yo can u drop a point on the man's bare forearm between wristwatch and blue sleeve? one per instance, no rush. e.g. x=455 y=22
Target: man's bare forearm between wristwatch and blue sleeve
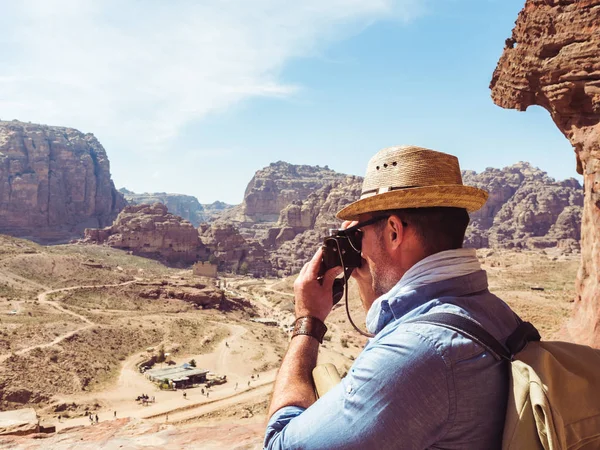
x=294 y=384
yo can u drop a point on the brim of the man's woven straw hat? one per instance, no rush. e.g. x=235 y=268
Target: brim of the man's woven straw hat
x=456 y=196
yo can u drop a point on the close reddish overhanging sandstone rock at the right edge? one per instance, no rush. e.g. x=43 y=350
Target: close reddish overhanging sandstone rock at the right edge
x=552 y=60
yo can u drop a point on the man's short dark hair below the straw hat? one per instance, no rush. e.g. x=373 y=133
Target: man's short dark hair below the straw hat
x=437 y=228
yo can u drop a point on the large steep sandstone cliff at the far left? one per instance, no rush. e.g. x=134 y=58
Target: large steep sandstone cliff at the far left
x=54 y=182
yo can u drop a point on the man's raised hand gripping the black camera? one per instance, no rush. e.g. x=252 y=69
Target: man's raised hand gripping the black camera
x=311 y=297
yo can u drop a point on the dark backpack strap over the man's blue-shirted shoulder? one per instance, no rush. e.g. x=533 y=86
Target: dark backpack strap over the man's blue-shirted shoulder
x=525 y=332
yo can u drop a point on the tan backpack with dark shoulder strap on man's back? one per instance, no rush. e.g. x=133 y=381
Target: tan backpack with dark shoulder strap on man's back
x=554 y=391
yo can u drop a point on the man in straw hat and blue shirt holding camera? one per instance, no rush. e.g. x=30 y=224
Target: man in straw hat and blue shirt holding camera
x=415 y=385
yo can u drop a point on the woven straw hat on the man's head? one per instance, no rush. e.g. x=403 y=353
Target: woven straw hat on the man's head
x=413 y=177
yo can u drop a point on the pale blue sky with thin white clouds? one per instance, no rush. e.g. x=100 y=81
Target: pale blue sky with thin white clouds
x=193 y=97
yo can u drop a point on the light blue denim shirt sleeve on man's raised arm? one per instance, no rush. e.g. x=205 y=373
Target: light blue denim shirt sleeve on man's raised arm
x=398 y=394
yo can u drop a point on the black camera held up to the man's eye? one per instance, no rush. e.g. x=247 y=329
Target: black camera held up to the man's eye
x=341 y=248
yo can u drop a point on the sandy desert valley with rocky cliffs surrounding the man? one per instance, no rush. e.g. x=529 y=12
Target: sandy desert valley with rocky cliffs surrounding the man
x=150 y=320
